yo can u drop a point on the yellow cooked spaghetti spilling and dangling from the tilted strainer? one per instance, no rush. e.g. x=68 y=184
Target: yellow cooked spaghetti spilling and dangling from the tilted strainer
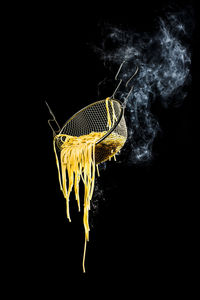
x=77 y=157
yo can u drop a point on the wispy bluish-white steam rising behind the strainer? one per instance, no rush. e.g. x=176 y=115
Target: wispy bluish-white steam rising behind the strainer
x=164 y=60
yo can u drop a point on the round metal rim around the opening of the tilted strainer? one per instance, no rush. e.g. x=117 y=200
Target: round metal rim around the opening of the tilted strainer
x=109 y=131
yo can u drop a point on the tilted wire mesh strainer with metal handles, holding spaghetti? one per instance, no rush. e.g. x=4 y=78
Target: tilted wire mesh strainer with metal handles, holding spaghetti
x=94 y=118
